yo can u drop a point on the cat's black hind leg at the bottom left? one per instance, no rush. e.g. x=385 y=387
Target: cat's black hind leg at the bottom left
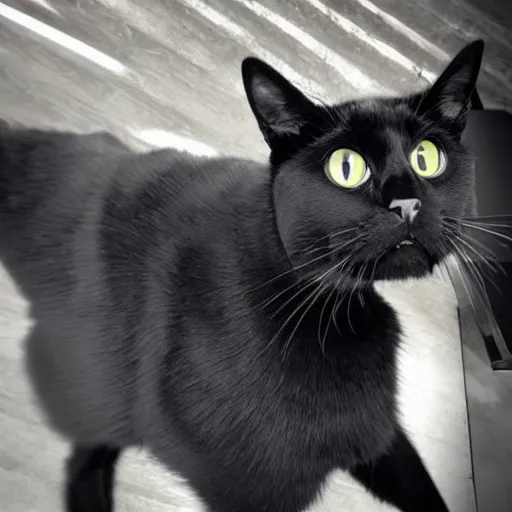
x=90 y=479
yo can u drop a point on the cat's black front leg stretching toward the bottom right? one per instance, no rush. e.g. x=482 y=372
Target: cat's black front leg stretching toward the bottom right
x=400 y=478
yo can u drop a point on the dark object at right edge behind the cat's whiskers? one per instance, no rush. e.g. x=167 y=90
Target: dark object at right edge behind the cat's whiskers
x=488 y=133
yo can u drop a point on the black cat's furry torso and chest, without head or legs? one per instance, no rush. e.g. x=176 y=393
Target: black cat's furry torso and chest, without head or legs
x=149 y=339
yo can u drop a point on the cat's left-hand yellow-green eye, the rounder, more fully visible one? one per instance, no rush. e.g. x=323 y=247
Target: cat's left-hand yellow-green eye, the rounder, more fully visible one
x=347 y=169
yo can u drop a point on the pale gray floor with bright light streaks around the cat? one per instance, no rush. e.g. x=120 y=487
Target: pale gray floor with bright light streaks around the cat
x=167 y=73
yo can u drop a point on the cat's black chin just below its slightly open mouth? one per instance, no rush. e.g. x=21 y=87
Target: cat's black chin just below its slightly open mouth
x=404 y=263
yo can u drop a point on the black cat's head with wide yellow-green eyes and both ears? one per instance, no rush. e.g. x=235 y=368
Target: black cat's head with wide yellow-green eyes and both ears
x=365 y=190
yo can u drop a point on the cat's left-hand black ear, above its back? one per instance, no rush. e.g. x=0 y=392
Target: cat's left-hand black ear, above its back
x=279 y=107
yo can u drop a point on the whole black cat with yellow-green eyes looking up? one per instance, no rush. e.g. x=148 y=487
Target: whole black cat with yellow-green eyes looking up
x=222 y=313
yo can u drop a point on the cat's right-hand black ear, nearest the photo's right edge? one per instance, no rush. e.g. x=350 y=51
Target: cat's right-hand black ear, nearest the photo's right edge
x=450 y=96
